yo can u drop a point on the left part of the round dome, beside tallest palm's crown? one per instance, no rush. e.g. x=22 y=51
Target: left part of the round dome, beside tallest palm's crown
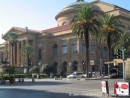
x=66 y=14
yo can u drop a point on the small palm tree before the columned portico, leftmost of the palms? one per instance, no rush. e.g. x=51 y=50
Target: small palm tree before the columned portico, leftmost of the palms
x=12 y=38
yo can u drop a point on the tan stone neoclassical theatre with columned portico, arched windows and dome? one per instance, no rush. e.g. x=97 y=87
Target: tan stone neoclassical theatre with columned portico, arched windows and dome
x=58 y=45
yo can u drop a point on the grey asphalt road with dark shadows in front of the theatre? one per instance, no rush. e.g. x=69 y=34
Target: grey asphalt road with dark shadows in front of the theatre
x=50 y=88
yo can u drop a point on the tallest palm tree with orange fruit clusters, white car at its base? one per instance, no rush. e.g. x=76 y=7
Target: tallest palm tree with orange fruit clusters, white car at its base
x=83 y=24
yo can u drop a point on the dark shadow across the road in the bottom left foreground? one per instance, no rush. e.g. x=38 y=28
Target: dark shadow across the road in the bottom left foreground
x=28 y=93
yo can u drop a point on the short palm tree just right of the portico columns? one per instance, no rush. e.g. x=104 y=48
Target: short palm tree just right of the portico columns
x=27 y=51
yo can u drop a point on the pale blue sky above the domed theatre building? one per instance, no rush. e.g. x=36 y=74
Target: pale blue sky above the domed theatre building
x=37 y=14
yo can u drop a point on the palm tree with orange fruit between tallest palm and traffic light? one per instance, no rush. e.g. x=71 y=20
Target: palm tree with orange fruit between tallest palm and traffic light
x=110 y=31
